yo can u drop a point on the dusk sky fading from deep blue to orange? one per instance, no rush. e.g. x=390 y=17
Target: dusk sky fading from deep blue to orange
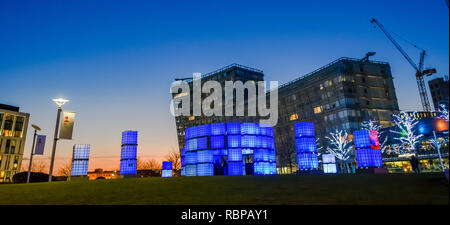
x=115 y=60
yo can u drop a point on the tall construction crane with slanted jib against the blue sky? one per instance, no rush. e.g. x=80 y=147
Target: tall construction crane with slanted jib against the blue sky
x=420 y=73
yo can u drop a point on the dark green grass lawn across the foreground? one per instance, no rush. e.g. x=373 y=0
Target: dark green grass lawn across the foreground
x=319 y=189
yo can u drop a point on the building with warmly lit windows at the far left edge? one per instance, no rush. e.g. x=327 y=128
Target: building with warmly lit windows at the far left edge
x=13 y=132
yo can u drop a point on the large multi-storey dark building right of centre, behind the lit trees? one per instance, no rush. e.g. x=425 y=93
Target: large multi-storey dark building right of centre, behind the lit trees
x=339 y=95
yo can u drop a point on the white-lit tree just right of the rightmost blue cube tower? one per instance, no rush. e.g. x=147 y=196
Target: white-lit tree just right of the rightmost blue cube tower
x=406 y=125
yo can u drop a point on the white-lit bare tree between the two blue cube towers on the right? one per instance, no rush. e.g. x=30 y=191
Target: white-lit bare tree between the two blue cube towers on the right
x=340 y=146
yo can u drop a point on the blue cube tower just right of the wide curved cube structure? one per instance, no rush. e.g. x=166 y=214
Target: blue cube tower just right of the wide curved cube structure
x=306 y=146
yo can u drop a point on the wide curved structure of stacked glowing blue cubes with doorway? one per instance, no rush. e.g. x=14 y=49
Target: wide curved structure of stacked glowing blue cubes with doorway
x=206 y=145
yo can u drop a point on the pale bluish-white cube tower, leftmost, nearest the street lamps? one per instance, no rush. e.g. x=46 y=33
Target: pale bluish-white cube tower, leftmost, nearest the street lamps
x=80 y=160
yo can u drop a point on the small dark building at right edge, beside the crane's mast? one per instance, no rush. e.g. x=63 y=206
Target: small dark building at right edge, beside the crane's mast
x=439 y=89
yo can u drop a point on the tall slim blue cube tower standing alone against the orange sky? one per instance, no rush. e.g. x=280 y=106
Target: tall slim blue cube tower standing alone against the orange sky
x=128 y=152
